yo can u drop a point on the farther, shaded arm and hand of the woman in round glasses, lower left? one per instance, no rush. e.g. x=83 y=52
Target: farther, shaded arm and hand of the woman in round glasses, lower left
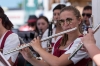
x=26 y=53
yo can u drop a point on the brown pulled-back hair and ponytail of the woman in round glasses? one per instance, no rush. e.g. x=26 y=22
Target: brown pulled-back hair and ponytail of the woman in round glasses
x=77 y=14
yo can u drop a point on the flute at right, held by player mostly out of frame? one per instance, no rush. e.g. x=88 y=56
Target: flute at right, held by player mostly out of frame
x=81 y=44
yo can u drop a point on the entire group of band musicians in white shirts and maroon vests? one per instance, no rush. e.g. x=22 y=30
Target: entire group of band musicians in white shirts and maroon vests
x=64 y=18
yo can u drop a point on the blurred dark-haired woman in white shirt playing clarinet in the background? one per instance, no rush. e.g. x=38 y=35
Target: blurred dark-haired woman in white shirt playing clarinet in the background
x=42 y=25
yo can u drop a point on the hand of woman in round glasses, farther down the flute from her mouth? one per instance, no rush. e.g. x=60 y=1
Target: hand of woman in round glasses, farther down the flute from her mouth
x=26 y=53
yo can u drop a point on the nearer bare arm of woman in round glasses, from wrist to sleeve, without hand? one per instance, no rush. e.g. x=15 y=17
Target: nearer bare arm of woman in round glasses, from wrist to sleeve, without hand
x=53 y=60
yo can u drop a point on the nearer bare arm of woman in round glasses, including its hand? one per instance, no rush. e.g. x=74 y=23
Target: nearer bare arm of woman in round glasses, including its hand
x=50 y=59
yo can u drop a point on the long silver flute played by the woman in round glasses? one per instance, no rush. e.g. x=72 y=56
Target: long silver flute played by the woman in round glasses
x=44 y=39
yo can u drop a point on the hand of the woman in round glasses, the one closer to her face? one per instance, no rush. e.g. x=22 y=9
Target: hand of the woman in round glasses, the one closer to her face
x=36 y=44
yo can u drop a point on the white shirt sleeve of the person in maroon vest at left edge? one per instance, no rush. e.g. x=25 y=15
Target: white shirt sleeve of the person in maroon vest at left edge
x=11 y=42
